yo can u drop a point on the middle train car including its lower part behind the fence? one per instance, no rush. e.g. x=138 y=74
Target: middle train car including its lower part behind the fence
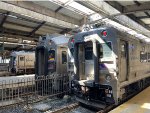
x=51 y=61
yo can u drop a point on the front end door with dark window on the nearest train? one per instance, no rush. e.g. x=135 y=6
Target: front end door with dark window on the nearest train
x=89 y=62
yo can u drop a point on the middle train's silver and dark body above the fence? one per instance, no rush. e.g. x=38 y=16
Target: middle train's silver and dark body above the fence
x=51 y=55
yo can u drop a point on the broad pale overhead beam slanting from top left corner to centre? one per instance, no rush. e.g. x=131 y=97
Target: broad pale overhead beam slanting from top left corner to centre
x=30 y=9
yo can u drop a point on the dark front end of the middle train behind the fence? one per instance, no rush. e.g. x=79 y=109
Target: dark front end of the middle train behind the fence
x=45 y=58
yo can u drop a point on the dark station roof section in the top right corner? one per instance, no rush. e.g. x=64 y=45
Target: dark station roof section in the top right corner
x=137 y=10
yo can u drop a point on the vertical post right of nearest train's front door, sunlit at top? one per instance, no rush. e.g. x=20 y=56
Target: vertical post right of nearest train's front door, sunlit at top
x=96 y=62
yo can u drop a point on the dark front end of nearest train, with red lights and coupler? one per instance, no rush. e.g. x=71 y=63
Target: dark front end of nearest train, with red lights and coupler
x=95 y=67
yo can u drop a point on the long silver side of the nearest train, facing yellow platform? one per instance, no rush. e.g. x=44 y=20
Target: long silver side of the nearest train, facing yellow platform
x=133 y=65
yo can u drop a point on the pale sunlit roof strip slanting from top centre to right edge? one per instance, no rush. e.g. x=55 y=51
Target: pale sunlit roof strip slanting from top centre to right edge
x=107 y=11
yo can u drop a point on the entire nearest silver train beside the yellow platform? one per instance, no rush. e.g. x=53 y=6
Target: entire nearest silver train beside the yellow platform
x=110 y=66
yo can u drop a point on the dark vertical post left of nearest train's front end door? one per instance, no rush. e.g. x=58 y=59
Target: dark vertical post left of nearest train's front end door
x=76 y=67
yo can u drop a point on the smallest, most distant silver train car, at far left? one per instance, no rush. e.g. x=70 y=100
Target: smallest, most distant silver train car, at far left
x=22 y=62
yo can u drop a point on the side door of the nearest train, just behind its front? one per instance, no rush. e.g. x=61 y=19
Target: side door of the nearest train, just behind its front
x=123 y=60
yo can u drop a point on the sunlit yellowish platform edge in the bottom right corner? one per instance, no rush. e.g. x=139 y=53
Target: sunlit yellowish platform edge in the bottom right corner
x=138 y=104
